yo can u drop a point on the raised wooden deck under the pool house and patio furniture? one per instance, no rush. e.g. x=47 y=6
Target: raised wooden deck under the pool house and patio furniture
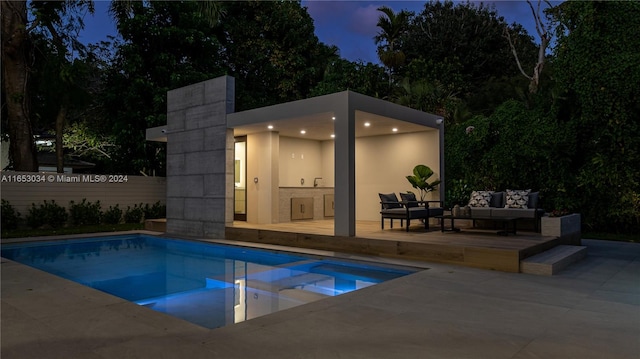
x=471 y=247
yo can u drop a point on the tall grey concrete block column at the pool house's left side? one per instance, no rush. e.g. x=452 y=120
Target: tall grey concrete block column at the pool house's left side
x=197 y=156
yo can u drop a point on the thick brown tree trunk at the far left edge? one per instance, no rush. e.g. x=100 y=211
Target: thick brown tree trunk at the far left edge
x=15 y=71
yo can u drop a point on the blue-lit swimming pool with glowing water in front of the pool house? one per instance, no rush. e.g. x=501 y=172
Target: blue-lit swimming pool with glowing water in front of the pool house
x=211 y=285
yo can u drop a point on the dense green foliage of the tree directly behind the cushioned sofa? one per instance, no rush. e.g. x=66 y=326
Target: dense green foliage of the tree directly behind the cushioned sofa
x=513 y=148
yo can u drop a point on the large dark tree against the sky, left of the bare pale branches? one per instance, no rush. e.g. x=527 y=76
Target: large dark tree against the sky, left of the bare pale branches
x=468 y=40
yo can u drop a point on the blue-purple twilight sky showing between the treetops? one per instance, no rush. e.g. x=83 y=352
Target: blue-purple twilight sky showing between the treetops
x=350 y=25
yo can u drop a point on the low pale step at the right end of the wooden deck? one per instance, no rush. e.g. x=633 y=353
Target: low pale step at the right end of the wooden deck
x=554 y=260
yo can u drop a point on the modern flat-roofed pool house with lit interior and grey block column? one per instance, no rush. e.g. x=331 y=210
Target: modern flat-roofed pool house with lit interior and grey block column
x=322 y=158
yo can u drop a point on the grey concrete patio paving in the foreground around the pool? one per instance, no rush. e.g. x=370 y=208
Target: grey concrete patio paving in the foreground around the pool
x=590 y=310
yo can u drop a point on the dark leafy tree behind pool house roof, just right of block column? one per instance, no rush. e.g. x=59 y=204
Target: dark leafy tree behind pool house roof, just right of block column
x=272 y=51
